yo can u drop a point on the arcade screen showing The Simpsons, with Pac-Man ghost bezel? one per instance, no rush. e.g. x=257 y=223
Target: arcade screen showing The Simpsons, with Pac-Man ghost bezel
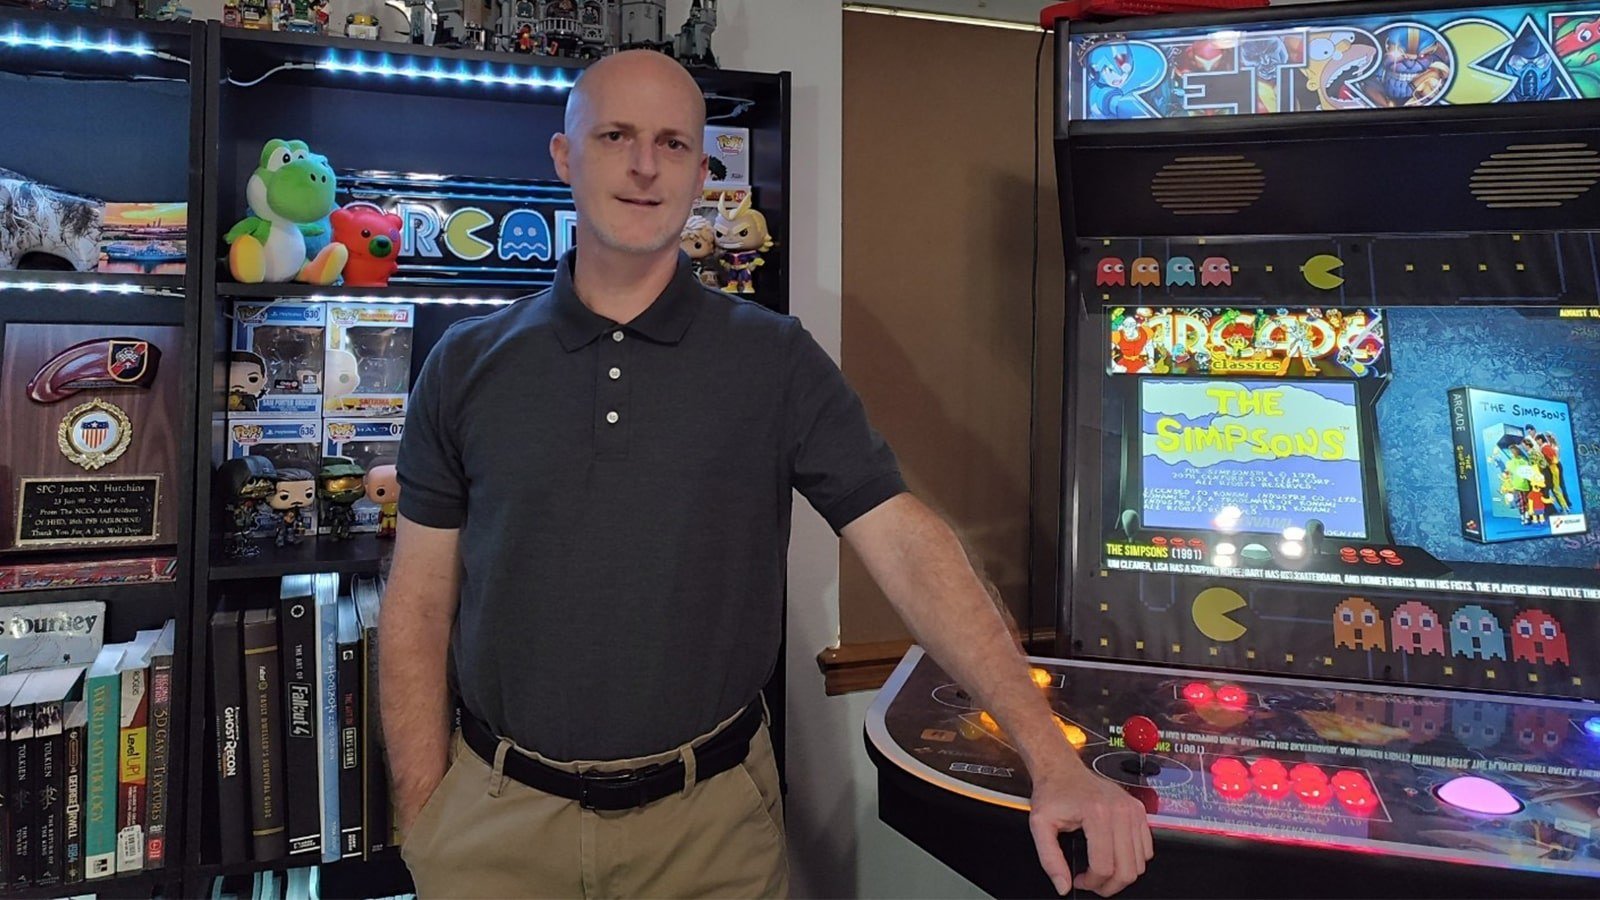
x=1391 y=486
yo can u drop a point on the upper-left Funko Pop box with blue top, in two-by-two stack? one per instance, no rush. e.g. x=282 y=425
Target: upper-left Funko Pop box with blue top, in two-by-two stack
x=278 y=360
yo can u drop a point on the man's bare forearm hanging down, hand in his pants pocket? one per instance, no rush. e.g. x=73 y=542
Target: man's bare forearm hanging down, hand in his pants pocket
x=415 y=702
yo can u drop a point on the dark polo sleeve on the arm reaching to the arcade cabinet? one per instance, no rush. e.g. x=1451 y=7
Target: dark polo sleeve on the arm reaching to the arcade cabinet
x=838 y=460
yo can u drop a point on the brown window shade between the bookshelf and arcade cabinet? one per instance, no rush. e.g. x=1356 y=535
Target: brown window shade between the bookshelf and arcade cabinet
x=937 y=263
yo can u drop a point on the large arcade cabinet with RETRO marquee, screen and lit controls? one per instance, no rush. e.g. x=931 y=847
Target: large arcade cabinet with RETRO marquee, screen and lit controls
x=1330 y=568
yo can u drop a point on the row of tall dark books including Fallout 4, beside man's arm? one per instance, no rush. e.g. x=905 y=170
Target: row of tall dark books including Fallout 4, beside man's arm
x=300 y=766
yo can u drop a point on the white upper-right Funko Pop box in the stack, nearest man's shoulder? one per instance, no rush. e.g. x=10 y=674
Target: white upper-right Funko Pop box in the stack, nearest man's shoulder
x=369 y=360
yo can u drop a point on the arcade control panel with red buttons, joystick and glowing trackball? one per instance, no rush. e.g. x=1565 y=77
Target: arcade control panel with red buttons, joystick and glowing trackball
x=1506 y=784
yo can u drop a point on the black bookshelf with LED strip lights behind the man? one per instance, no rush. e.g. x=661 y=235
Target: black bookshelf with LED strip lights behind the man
x=191 y=106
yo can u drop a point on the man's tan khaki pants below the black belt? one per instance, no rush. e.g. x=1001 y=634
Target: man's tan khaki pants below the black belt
x=484 y=835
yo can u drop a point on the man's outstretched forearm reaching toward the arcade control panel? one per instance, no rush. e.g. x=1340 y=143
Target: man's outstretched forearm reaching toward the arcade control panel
x=937 y=593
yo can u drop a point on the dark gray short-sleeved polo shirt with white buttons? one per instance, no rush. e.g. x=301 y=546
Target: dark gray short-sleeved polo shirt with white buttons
x=623 y=497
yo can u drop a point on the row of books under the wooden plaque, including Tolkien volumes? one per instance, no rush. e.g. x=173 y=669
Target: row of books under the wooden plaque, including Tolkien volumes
x=87 y=752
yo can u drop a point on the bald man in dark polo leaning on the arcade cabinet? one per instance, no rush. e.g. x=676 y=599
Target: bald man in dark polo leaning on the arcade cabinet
x=593 y=540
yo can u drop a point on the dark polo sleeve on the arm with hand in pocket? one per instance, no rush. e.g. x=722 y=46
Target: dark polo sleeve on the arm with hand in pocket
x=433 y=480
